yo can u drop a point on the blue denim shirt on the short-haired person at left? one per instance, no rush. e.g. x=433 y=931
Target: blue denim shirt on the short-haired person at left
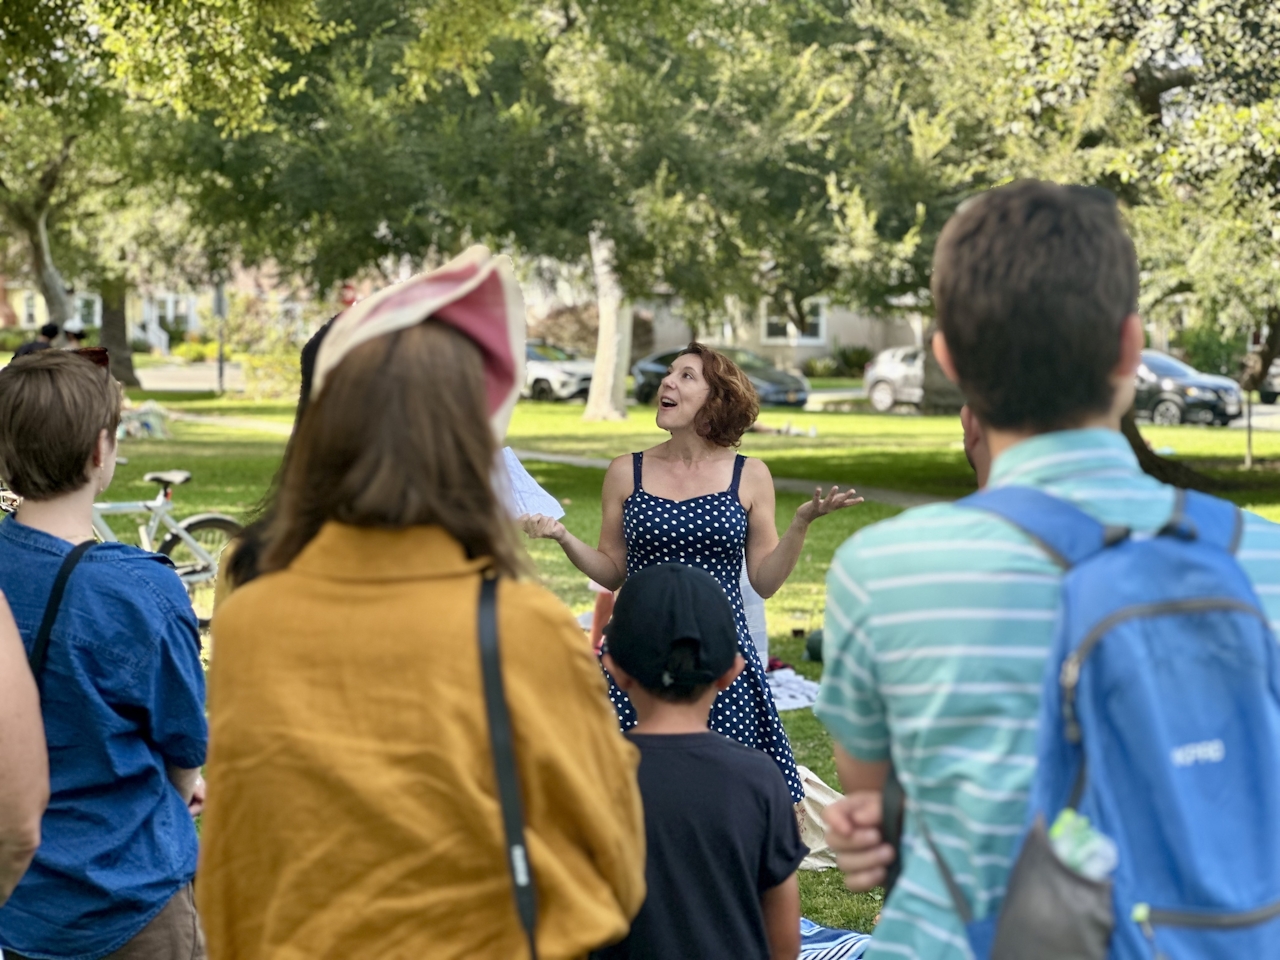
x=122 y=696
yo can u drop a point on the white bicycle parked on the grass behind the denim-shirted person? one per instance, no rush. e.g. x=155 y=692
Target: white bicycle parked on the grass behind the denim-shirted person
x=194 y=546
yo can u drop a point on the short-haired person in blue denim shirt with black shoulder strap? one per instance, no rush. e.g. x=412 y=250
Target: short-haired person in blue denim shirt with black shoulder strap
x=122 y=689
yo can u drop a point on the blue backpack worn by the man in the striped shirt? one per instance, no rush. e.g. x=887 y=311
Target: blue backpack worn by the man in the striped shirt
x=1160 y=724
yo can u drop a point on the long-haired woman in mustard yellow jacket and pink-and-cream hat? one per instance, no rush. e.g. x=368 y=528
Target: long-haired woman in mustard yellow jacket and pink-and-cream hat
x=353 y=808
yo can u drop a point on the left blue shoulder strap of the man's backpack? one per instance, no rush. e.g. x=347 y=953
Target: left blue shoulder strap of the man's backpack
x=1067 y=533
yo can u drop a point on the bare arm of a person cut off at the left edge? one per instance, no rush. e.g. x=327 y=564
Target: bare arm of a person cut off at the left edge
x=24 y=758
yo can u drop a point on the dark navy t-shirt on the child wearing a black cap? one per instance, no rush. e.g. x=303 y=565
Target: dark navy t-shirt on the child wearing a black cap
x=720 y=831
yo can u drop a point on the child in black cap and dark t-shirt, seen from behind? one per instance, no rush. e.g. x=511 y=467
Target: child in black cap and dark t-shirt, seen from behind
x=723 y=840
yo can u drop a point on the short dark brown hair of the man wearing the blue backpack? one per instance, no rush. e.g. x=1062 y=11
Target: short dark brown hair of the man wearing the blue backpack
x=1032 y=284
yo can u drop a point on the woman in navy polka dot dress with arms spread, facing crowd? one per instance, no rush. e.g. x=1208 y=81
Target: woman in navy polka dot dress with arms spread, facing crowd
x=694 y=501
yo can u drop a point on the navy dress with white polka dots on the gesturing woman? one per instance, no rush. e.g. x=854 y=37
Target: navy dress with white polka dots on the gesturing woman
x=710 y=532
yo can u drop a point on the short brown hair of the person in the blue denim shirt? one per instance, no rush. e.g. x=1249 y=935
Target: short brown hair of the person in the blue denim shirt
x=53 y=408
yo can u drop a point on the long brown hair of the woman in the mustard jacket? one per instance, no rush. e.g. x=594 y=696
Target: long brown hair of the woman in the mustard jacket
x=399 y=437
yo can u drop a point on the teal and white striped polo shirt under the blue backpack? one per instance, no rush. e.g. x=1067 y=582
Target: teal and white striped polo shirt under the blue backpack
x=938 y=627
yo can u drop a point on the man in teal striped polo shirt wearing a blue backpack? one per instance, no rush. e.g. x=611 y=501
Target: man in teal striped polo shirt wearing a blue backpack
x=939 y=621
